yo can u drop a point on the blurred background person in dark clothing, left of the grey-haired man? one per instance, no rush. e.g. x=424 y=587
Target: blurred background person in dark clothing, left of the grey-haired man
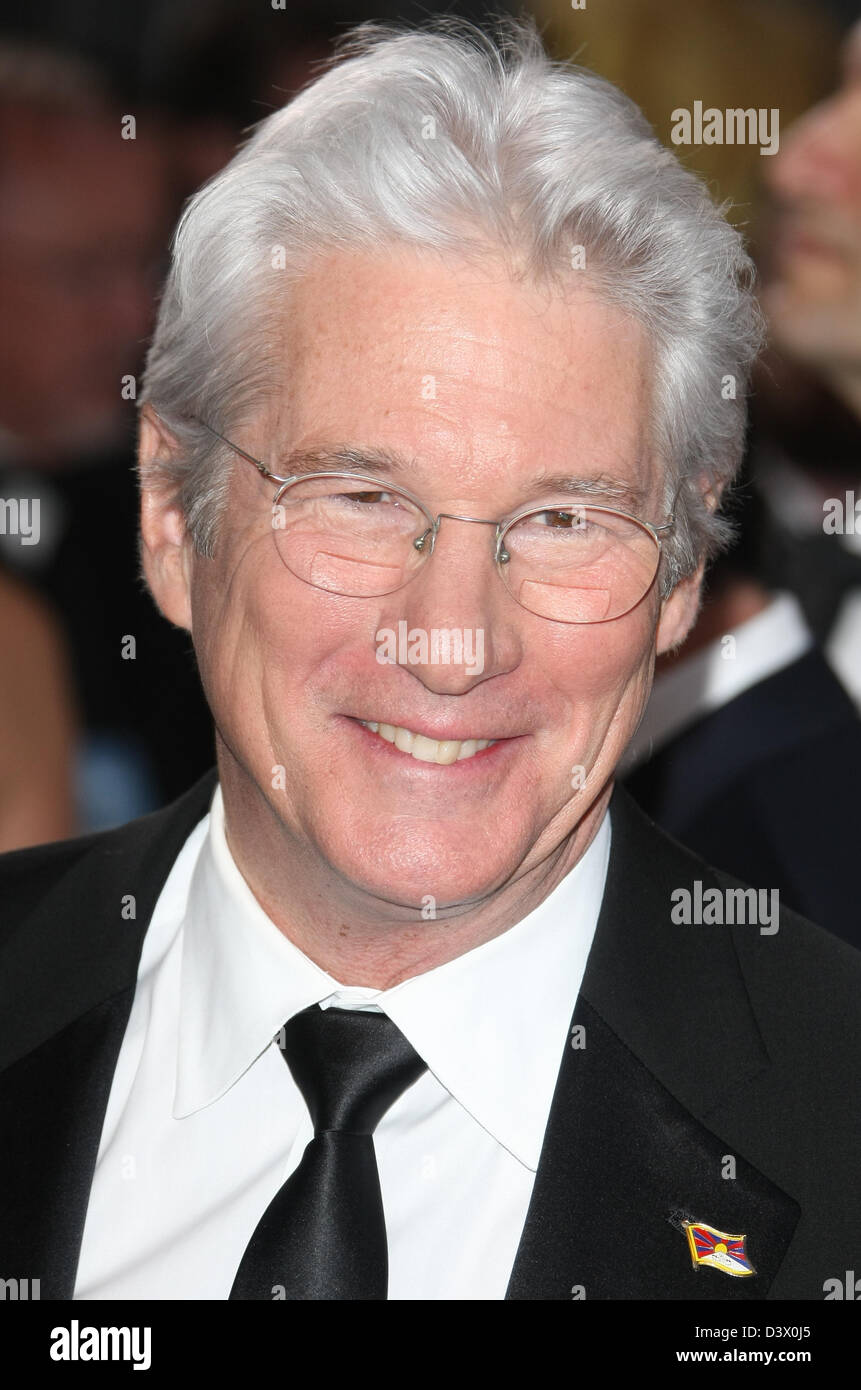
x=84 y=226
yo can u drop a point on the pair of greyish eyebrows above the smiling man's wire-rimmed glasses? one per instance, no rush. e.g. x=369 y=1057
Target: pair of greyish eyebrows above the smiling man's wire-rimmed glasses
x=386 y=464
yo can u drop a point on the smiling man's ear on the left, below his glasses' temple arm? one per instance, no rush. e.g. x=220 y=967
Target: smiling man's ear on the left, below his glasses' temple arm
x=166 y=548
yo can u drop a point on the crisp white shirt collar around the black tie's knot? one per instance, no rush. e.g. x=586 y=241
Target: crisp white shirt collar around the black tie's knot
x=492 y=1024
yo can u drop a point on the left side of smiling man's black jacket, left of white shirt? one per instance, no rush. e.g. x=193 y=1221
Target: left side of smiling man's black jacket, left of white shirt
x=74 y=961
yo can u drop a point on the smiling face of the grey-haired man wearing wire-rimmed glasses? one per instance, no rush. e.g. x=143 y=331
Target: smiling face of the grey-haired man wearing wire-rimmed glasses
x=486 y=386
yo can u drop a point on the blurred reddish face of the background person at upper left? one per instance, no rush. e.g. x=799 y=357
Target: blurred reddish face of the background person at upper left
x=83 y=226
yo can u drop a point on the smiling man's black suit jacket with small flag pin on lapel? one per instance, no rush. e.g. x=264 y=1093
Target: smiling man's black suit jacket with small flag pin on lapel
x=702 y=1043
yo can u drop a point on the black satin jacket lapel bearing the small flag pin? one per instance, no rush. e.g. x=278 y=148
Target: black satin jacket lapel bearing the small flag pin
x=634 y=1142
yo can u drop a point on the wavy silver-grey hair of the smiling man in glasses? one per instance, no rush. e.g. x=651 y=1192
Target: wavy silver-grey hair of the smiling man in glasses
x=525 y=155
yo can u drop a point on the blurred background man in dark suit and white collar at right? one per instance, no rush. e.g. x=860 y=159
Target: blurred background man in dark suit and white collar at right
x=750 y=750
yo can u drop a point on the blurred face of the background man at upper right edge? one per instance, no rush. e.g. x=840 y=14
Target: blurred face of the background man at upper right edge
x=814 y=301
